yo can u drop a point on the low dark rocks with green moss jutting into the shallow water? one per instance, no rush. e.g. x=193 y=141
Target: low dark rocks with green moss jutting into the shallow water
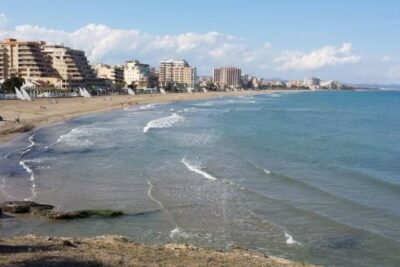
x=24 y=207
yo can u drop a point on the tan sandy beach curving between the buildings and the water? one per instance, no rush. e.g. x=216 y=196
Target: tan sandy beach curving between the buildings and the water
x=47 y=111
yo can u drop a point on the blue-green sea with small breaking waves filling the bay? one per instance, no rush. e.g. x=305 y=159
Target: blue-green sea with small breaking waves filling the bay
x=311 y=176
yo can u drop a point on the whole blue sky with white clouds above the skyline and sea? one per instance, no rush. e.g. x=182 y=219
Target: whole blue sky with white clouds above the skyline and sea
x=350 y=41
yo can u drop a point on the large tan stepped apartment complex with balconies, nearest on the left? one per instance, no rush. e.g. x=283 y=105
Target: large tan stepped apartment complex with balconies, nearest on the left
x=56 y=65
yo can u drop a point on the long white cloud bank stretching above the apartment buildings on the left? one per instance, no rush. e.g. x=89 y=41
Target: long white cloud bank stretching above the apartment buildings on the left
x=102 y=43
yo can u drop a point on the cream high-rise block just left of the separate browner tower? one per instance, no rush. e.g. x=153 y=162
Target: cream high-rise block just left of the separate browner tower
x=176 y=71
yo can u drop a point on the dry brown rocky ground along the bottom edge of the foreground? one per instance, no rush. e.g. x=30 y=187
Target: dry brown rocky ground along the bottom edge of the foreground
x=119 y=251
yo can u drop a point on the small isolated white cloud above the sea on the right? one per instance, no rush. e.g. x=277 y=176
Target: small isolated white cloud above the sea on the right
x=326 y=56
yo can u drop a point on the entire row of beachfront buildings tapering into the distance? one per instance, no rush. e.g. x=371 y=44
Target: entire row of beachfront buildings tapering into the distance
x=61 y=67
